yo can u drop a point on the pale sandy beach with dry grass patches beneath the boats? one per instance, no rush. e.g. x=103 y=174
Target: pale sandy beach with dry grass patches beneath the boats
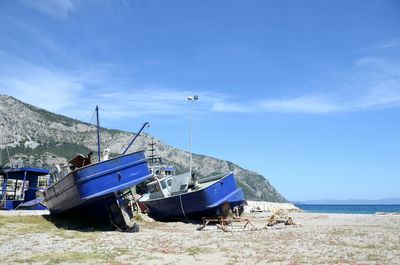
x=319 y=239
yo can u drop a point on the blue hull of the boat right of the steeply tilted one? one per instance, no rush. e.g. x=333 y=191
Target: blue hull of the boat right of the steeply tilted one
x=205 y=202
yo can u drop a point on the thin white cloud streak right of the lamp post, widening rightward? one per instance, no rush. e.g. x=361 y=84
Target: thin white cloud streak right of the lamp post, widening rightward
x=372 y=83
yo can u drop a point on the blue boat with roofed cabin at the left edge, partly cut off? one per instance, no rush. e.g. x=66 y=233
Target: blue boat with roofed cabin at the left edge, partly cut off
x=19 y=187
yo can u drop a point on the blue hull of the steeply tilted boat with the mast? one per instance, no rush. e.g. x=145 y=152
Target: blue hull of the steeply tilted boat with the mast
x=85 y=186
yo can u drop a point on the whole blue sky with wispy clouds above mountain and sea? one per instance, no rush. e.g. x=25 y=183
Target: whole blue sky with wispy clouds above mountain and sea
x=306 y=93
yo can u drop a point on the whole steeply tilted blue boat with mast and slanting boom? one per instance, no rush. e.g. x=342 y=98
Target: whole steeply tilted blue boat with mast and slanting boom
x=97 y=191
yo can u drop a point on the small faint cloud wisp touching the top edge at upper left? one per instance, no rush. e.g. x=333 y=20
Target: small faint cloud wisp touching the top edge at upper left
x=55 y=8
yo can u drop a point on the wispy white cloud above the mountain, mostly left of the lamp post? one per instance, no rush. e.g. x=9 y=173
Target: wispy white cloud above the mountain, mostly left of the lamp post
x=75 y=92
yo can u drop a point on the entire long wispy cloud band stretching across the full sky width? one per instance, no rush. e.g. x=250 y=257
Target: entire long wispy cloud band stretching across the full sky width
x=372 y=83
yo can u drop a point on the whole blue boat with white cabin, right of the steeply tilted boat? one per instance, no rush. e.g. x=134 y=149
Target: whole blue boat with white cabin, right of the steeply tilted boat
x=181 y=196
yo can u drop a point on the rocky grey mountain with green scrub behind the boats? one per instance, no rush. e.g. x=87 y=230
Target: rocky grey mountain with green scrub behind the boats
x=36 y=137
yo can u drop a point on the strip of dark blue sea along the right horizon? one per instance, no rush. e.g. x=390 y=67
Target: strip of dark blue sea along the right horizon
x=349 y=208
